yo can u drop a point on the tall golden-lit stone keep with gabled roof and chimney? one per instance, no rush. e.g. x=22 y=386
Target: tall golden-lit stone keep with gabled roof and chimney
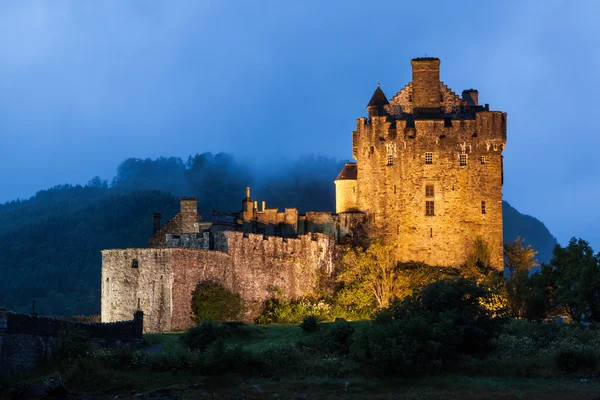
x=428 y=171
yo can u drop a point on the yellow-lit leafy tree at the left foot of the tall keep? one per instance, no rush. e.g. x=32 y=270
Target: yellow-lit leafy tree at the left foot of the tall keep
x=369 y=276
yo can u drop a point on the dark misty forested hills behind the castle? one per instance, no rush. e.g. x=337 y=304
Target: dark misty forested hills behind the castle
x=50 y=244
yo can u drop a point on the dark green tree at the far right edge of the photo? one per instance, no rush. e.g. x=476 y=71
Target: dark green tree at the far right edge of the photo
x=577 y=273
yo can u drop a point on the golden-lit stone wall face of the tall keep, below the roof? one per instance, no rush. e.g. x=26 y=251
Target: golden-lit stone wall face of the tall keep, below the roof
x=394 y=196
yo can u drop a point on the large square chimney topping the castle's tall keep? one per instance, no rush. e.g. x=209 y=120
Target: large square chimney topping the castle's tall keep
x=426 y=82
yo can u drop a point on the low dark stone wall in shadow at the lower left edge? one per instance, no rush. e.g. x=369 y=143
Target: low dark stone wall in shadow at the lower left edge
x=28 y=340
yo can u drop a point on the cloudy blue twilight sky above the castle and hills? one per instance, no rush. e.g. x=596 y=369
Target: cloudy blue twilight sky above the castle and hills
x=87 y=84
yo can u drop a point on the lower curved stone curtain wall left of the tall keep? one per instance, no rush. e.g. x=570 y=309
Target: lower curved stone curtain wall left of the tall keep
x=256 y=267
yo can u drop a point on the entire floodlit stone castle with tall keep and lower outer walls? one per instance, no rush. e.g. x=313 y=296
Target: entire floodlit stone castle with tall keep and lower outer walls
x=428 y=178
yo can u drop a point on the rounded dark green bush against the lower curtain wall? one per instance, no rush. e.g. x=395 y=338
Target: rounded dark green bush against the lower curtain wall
x=212 y=301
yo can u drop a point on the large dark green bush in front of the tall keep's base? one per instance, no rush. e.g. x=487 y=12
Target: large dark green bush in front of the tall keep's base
x=424 y=333
